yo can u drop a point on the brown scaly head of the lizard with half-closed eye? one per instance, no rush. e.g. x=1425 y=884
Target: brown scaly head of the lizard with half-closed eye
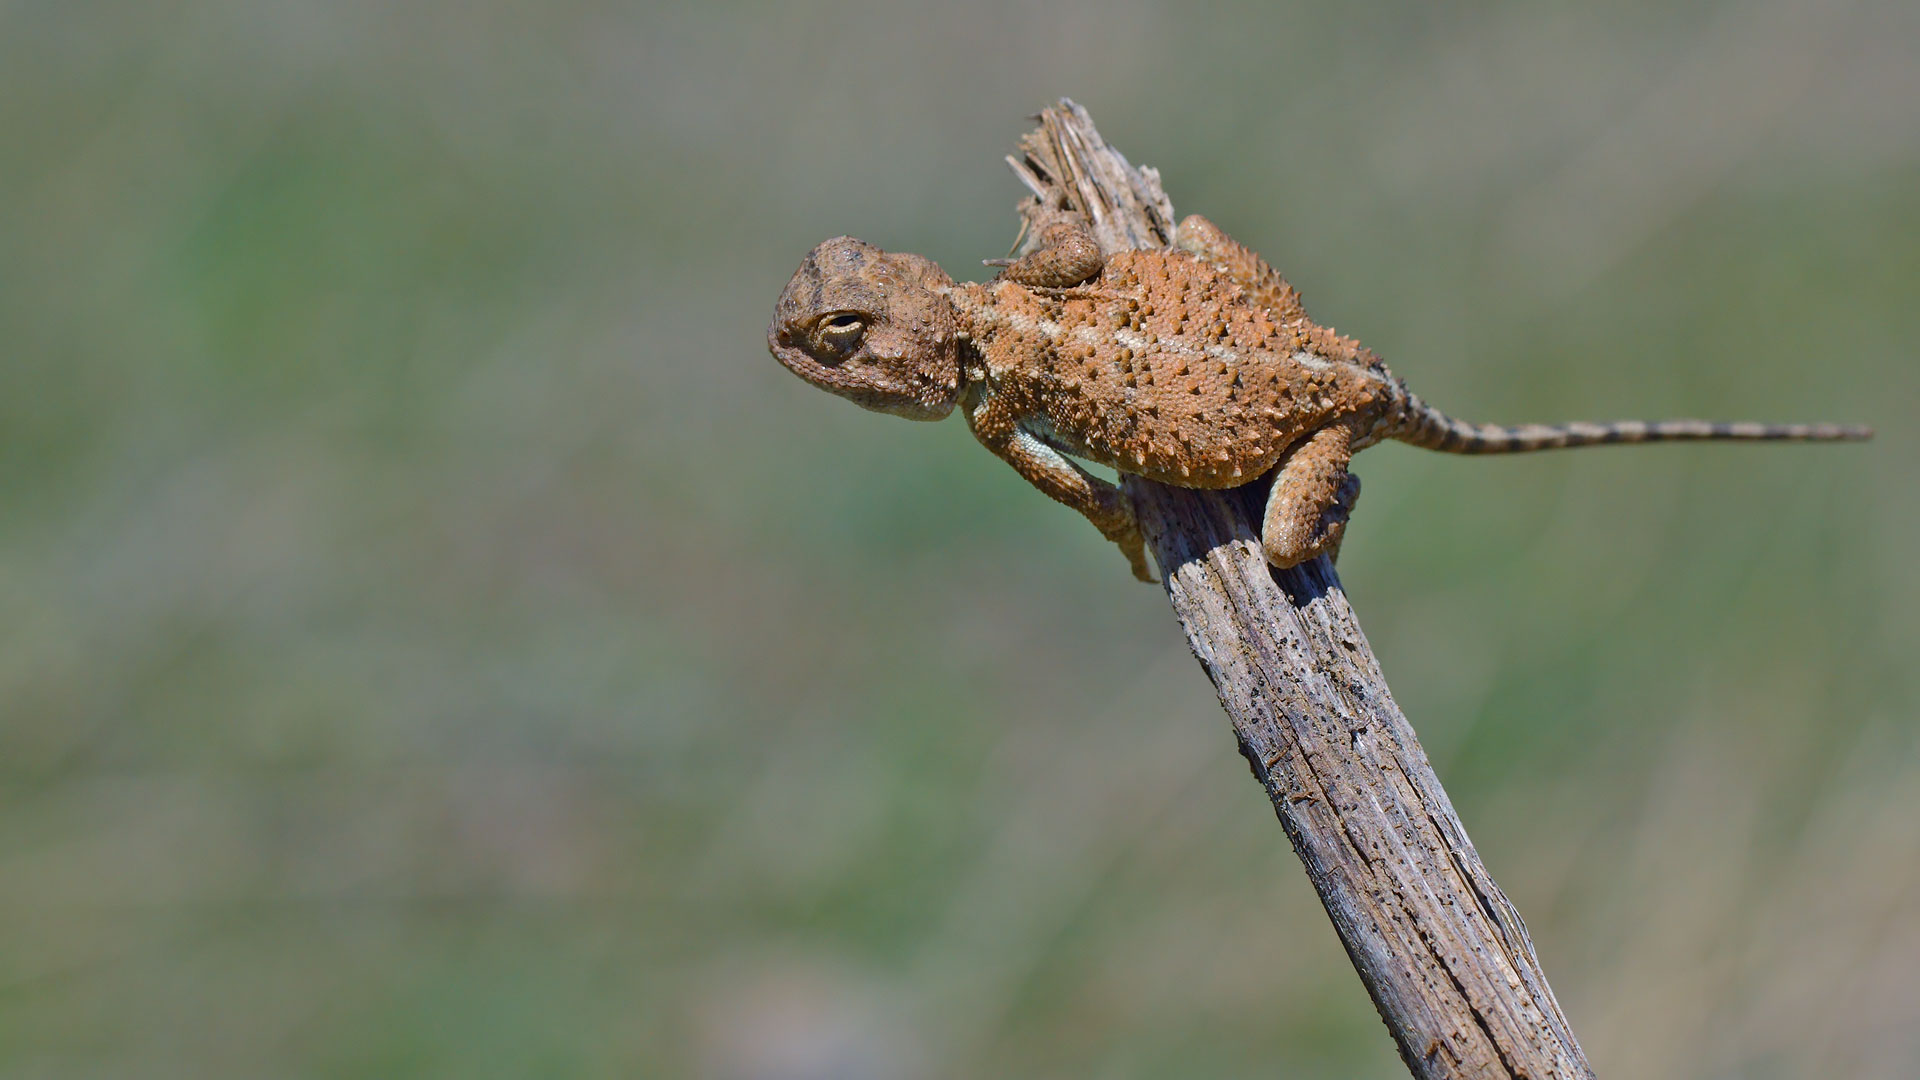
x=873 y=328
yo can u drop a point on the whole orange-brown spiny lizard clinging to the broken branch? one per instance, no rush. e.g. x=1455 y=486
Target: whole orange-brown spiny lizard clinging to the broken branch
x=1191 y=366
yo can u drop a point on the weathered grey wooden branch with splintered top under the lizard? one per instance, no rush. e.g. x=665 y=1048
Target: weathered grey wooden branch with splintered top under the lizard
x=1437 y=945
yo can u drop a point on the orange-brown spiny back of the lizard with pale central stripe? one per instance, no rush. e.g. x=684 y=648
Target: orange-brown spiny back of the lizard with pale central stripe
x=1166 y=368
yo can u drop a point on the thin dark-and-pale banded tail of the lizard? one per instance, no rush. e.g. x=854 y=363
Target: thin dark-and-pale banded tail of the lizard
x=1429 y=428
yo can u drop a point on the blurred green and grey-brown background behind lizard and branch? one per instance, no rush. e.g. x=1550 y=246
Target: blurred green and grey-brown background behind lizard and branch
x=439 y=641
